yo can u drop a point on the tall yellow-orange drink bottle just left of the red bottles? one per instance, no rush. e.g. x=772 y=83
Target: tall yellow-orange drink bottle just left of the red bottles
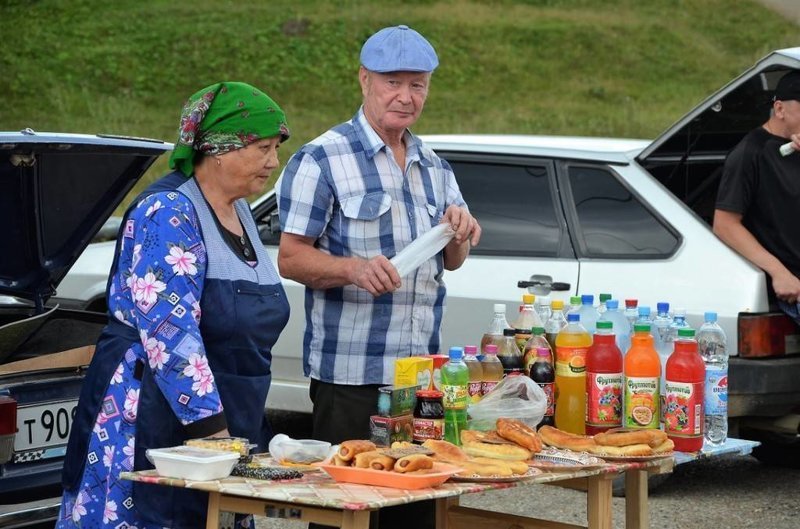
x=572 y=343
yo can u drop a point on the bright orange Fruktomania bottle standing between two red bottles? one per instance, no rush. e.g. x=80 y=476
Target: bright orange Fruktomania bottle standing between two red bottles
x=642 y=400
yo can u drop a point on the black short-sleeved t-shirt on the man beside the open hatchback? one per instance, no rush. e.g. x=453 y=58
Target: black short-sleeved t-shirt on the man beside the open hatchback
x=764 y=187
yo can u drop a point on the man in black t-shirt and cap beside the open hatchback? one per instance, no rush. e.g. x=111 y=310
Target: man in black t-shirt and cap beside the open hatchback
x=759 y=197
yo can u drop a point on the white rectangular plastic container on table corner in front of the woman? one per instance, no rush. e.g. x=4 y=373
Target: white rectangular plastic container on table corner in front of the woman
x=192 y=462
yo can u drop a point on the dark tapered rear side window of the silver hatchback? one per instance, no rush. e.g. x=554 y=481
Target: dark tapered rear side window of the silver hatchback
x=612 y=221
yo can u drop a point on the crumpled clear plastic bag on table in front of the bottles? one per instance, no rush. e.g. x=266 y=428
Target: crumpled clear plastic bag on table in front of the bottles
x=515 y=397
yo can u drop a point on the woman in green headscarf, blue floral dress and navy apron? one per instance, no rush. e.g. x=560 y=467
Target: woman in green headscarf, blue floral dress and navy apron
x=195 y=306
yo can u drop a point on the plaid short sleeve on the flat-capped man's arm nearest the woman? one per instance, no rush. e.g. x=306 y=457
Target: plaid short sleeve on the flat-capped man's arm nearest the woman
x=305 y=198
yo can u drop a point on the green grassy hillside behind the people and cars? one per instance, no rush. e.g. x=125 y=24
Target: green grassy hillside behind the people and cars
x=600 y=68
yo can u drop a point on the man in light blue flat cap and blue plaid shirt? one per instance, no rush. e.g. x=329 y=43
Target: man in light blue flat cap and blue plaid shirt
x=350 y=200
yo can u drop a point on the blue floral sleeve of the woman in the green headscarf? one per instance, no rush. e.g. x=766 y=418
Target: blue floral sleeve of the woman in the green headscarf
x=165 y=282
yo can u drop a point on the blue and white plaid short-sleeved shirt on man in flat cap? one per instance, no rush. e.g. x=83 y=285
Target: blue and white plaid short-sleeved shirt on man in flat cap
x=346 y=190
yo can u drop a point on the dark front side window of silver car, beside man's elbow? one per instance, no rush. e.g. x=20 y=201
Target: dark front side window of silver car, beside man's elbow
x=515 y=206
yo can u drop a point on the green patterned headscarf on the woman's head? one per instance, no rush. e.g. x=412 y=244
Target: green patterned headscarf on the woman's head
x=224 y=117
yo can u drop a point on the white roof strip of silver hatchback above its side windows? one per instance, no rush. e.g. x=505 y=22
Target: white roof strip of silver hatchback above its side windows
x=612 y=150
